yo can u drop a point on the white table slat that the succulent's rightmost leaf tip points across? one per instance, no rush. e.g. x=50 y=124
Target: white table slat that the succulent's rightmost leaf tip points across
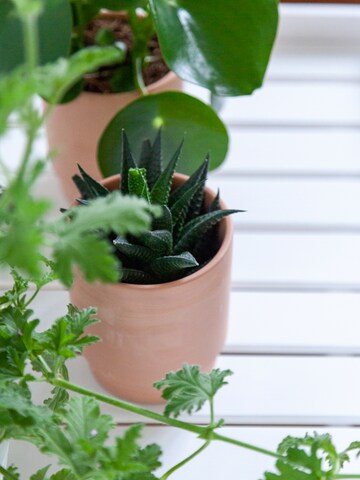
x=291 y=202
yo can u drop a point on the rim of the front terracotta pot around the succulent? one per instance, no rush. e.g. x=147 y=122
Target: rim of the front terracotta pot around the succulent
x=224 y=247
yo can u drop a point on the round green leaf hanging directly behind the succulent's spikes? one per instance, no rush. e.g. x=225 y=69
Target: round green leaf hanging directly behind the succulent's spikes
x=179 y=115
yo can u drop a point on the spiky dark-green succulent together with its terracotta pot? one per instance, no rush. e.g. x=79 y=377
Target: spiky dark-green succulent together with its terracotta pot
x=172 y=303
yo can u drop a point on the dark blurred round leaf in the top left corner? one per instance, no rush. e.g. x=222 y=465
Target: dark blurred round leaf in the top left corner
x=55 y=25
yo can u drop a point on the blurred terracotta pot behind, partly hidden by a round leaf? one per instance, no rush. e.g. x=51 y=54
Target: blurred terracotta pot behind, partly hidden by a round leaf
x=74 y=129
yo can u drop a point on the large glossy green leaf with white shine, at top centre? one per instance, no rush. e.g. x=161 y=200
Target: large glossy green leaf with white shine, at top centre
x=222 y=45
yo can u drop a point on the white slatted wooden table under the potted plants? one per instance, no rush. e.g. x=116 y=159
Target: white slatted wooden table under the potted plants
x=294 y=336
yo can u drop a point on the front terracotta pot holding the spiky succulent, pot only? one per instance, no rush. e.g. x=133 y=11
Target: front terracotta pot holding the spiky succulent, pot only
x=148 y=330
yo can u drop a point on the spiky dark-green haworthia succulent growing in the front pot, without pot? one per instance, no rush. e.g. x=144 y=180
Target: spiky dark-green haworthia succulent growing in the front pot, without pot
x=184 y=238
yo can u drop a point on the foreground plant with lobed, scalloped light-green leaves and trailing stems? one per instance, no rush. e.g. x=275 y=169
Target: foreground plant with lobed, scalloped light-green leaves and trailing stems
x=72 y=430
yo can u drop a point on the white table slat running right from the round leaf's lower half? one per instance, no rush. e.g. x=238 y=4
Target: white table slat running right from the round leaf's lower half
x=274 y=151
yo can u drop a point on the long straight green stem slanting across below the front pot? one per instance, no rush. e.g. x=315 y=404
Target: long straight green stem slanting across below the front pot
x=130 y=407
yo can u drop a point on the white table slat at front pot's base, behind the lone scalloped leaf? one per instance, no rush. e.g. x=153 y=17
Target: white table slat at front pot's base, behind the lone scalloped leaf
x=267 y=390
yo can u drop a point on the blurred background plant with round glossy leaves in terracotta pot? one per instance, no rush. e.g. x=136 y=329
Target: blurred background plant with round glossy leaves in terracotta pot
x=229 y=61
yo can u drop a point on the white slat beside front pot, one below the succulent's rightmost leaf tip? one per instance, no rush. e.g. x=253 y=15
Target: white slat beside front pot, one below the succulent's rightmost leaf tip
x=292 y=258
